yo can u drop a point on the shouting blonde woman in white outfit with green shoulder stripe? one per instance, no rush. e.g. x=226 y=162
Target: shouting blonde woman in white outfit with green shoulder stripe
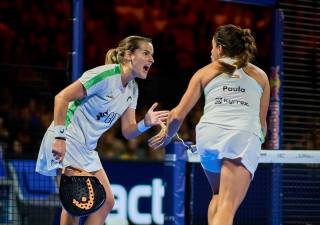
x=87 y=108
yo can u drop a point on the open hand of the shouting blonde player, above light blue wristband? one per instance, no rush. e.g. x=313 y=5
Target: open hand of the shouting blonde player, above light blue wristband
x=153 y=118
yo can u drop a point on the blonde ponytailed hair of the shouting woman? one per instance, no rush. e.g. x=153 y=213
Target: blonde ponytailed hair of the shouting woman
x=131 y=43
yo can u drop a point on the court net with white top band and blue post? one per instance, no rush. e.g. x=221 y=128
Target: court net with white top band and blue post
x=285 y=189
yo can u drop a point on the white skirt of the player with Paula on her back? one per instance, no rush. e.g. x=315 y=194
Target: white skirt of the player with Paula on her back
x=215 y=143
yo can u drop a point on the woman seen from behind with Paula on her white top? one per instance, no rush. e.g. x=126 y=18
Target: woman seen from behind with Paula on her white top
x=229 y=134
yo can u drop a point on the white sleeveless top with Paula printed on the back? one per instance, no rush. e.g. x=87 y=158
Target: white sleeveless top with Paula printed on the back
x=233 y=102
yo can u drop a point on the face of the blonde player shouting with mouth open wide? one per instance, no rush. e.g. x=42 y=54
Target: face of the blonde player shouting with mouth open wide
x=142 y=59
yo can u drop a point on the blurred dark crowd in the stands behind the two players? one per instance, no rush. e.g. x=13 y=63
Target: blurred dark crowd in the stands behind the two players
x=39 y=35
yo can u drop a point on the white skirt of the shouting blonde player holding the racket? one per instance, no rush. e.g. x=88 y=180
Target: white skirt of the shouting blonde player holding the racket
x=76 y=155
